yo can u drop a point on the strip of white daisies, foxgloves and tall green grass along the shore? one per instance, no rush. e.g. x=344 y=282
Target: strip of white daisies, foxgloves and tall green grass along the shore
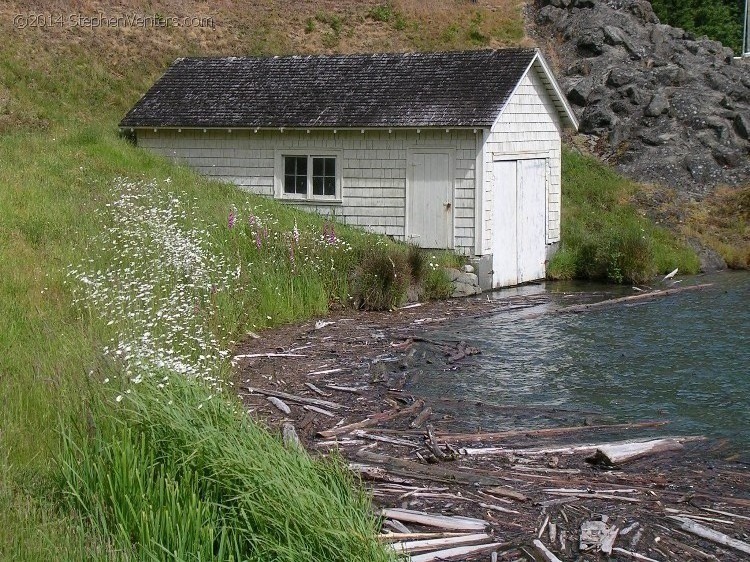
x=169 y=464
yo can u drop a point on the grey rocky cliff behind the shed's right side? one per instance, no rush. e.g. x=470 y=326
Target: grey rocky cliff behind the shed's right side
x=660 y=104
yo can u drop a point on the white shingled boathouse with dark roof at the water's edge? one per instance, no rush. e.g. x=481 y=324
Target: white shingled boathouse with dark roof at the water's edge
x=456 y=150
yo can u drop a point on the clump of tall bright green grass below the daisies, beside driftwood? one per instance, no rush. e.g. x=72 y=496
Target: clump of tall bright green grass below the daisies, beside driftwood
x=172 y=474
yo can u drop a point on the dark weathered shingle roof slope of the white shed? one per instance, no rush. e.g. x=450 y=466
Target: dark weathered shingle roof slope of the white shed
x=459 y=89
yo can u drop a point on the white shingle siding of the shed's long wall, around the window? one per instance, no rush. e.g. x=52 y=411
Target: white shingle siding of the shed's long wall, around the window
x=374 y=168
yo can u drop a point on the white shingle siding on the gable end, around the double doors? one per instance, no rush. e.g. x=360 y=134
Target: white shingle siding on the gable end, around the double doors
x=528 y=124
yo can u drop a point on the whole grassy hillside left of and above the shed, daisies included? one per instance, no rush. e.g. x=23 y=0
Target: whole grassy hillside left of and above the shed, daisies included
x=84 y=270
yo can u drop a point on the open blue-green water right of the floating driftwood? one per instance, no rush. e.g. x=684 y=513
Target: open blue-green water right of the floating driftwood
x=683 y=358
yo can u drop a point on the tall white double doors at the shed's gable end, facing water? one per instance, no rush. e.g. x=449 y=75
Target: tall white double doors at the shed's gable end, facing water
x=519 y=221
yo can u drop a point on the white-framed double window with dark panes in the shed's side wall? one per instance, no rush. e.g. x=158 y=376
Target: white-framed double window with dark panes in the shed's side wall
x=306 y=176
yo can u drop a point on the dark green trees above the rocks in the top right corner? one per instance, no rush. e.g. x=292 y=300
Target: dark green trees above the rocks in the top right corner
x=721 y=20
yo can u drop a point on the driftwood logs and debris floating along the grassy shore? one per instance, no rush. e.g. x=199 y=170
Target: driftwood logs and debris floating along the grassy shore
x=590 y=490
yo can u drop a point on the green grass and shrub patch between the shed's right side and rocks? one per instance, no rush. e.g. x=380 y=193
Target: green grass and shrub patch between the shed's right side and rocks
x=604 y=237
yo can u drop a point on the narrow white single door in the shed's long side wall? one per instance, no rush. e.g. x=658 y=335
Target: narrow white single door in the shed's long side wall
x=429 y=221
